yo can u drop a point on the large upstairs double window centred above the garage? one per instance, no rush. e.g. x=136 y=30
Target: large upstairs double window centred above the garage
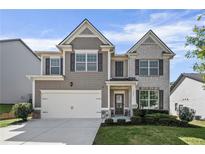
x=86 y=62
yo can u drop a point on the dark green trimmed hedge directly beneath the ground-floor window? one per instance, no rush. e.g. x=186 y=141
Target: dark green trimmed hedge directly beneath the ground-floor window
x=143 y=112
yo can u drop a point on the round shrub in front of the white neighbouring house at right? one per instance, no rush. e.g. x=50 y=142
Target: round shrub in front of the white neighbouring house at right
x=186 y=114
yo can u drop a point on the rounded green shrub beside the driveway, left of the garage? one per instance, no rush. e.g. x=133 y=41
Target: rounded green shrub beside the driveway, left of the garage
x=22 y=110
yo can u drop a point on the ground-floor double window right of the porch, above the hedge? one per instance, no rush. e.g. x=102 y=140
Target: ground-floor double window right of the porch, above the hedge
x=149 y=99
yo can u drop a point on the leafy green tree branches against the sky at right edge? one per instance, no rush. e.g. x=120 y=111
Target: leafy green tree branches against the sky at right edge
x=198 y=42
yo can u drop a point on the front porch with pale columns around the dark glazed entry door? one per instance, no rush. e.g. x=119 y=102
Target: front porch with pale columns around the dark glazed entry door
x=121 y=98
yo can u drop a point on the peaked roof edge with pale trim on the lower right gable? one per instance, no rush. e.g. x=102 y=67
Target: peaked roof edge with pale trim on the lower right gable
x=155 y=37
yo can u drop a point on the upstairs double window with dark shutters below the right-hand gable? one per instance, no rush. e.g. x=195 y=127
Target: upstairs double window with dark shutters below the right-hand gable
x=149 y=67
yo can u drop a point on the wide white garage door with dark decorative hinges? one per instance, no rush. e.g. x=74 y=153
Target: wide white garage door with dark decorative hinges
x=70 y=104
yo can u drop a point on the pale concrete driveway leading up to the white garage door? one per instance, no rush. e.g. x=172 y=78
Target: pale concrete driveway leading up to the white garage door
x=51 y=131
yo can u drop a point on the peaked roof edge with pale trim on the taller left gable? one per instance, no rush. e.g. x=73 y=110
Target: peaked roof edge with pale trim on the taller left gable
x=91 y=26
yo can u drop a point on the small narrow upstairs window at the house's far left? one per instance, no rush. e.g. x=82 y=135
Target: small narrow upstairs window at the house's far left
x=55 y=66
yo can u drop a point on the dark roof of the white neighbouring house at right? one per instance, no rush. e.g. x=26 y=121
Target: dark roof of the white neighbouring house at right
x=194 y=76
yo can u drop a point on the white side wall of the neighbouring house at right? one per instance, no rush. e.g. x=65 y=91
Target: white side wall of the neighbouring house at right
x=189 y=93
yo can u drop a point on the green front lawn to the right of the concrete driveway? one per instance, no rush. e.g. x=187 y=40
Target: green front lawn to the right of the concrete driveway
x=152 y=135
